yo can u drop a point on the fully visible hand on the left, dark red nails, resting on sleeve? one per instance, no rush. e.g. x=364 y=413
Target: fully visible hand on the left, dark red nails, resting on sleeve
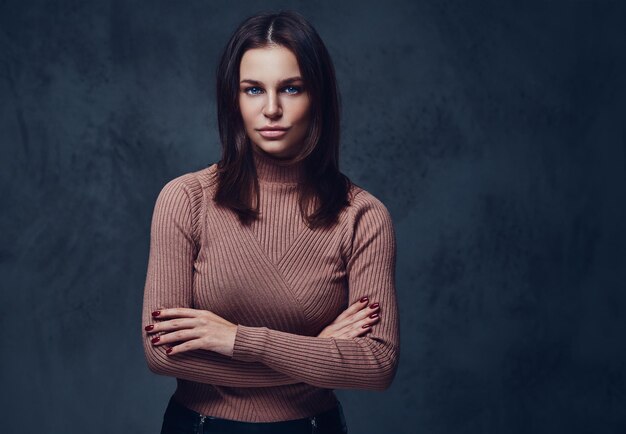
x=196 y=329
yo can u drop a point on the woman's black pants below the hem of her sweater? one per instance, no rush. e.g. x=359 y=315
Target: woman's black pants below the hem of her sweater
x=179 y=419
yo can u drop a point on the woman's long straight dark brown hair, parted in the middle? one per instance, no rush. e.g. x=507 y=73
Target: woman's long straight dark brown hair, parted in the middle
x=236 y=175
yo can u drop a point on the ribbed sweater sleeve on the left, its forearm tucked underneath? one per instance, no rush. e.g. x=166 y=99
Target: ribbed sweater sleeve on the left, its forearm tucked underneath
x=169 y=283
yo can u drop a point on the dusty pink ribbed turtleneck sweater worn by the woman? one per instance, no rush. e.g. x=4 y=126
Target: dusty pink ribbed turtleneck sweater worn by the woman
x=281 y=283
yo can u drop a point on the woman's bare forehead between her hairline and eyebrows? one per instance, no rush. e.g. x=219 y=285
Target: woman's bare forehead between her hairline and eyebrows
x=268 y=64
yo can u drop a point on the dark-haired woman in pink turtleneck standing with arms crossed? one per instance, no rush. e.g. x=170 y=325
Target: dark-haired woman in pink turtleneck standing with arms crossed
x=254 y=259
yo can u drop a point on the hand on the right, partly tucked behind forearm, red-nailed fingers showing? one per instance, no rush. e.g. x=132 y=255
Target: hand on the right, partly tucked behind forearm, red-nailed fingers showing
x=355 y=321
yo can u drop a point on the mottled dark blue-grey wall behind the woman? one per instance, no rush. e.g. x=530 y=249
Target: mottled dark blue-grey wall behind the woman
x=493 y=131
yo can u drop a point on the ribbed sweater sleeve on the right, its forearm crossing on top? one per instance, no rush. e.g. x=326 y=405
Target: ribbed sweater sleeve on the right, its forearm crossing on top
x=366 y=362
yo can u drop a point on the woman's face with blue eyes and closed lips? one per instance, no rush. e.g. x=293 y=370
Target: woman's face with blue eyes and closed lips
x=272 y=95
